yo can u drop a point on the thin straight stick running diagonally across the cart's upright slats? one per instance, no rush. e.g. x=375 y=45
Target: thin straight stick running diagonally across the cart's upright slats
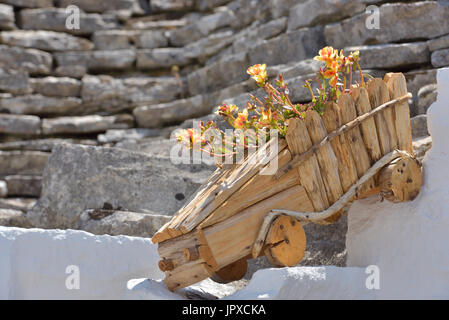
x=298 y=159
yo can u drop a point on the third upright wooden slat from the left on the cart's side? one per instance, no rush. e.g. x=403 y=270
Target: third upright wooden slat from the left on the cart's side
x=346 y=165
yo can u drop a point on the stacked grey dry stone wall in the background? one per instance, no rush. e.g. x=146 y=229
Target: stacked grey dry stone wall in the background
x=137 y=69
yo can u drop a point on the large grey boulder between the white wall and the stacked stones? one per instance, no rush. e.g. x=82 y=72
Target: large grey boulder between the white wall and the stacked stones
x=81 y=177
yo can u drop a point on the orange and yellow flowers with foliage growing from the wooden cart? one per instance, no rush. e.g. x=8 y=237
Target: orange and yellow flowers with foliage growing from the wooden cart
x=272 y=112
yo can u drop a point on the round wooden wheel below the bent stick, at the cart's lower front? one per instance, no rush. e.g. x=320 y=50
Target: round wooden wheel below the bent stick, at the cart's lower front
x=286 y=242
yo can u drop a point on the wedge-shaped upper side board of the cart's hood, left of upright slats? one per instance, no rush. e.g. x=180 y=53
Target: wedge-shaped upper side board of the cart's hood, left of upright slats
x=260 y=187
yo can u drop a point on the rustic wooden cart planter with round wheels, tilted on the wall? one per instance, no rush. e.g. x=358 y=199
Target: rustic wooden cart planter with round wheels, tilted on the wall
x=358 y=147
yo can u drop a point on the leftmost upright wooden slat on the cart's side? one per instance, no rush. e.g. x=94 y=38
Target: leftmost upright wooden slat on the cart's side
x=299 y=141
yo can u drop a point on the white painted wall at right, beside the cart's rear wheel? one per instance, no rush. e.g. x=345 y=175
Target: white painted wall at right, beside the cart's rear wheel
x=409 y=241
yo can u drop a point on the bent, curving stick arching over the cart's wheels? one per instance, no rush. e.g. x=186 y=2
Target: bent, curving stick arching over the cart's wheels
x=315 y=216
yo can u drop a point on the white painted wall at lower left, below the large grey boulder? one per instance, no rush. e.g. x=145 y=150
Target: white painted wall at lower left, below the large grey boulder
x=33 y=263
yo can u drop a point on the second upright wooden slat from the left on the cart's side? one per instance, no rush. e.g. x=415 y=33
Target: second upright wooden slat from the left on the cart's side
x=326 y=157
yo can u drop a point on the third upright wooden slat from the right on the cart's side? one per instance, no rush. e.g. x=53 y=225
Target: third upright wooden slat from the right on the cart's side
x=368 y=127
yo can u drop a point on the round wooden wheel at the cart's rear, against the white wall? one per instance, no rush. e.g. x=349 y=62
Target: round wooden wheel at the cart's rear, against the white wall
x=401 y=179
